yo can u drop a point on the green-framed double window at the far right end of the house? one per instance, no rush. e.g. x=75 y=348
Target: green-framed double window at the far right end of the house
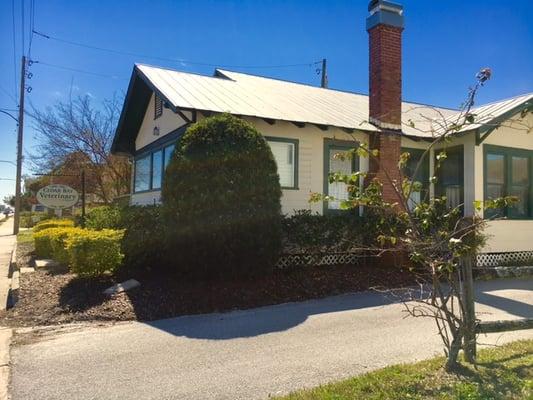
x=508 y=173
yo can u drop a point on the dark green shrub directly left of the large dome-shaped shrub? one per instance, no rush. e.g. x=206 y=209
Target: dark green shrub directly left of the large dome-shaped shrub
x=143 y=239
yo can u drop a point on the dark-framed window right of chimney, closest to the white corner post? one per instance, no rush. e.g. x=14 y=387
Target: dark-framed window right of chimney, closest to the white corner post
x=450 y=176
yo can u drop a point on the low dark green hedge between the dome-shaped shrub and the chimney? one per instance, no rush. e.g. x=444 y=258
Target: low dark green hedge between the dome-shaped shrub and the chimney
x=315 y=233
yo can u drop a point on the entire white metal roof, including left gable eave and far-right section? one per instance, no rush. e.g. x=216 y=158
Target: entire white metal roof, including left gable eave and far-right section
x=255 y=96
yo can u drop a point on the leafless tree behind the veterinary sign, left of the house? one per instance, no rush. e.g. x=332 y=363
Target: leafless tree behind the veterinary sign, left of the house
x=76 y=130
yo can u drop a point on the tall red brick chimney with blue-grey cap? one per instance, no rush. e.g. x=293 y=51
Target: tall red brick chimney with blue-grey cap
x=385 y=26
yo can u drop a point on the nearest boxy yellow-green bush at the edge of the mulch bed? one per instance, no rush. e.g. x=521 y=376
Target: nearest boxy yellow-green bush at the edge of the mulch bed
x=93 y=253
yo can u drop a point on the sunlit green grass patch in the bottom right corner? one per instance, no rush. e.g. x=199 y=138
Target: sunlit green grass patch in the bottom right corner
x=503 y=373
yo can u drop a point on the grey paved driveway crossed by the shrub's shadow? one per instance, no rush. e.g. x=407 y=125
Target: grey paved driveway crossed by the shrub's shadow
x=246 y=354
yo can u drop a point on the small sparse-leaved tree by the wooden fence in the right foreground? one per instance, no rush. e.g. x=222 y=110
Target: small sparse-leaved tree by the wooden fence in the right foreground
x=436 y=237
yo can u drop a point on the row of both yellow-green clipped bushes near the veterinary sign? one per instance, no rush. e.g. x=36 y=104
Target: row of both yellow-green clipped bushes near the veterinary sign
x=86 y=252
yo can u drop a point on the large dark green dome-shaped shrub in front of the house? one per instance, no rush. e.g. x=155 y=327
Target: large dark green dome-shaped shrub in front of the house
x=221 y=201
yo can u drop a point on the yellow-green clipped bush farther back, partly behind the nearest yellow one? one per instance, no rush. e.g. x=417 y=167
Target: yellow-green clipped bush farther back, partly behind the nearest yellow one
x=50 y=242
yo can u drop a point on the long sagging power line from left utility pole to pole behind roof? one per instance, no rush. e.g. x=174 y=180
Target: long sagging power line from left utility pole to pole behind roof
x=174 y=60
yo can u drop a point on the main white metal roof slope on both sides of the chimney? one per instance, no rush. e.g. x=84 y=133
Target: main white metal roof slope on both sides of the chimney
x=256 y=96
